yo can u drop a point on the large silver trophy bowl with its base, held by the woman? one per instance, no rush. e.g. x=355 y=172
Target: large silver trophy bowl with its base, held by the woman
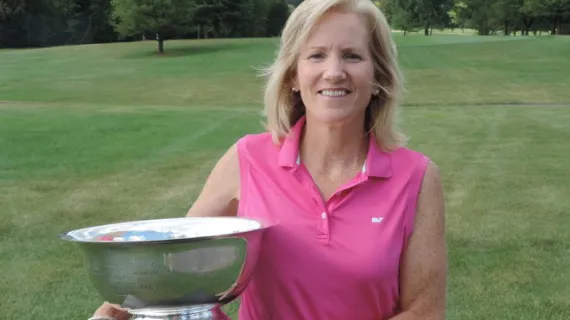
x=171 y=269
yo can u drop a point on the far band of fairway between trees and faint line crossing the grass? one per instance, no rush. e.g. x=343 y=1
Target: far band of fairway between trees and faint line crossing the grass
x=448 y=69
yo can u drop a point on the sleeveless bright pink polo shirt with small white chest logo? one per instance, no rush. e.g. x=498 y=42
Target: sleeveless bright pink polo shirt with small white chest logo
x=330 y=260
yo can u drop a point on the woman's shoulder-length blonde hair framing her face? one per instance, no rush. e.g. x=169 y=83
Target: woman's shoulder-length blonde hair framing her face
x=282 y=109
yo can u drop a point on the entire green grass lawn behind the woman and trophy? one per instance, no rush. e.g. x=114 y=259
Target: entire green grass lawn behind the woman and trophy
x=104 y=133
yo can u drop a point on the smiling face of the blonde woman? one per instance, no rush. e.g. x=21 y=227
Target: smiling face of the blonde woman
x=335 y=72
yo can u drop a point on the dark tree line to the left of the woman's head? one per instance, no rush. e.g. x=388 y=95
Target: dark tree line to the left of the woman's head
x=36 y=23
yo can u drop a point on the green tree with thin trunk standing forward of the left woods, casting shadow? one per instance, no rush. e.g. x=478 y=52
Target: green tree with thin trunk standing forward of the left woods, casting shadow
x=161 y=17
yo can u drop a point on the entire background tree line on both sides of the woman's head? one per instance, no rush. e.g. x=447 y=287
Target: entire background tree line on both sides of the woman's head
x=29 y=23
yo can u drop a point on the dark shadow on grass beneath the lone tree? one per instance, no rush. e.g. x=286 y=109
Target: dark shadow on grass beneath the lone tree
x=175 y=50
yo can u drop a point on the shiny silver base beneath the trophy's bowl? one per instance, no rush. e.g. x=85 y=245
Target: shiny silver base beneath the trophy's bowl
x=201 y=312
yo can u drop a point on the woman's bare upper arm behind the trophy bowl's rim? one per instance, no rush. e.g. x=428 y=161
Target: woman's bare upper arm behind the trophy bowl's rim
x=220 y=194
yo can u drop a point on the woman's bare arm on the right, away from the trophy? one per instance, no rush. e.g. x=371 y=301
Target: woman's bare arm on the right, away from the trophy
x=424 y=267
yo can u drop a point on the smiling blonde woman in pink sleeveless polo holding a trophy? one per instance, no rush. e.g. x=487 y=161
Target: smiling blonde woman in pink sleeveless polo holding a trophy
x=361 y=232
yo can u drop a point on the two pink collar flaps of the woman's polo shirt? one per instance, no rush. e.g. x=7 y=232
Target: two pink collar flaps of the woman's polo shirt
x=377 y=164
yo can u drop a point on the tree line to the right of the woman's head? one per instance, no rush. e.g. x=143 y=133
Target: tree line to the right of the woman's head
x=506 y=17
